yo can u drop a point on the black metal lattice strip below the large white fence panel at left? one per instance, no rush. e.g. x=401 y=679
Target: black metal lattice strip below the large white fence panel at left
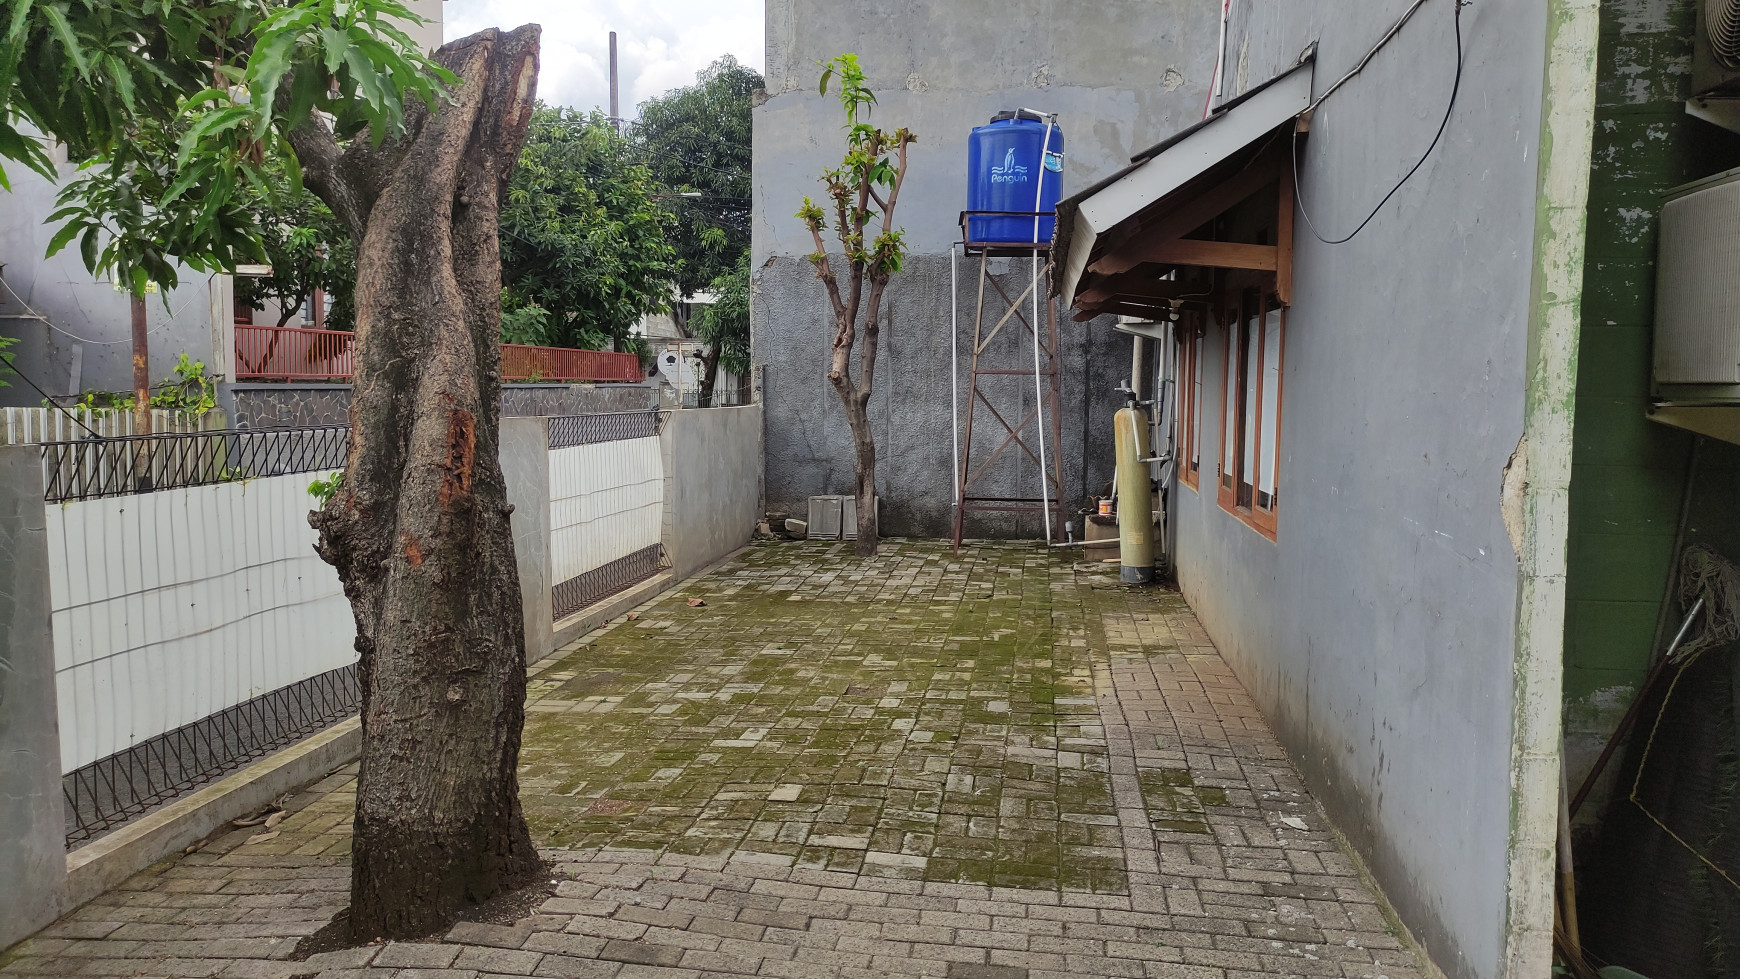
x=130 y=783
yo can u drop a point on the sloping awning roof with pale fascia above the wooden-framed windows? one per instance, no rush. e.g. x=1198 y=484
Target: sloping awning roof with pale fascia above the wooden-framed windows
x=1158 y=175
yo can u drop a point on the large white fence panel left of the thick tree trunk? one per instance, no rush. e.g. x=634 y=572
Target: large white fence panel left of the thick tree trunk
x=178 y=604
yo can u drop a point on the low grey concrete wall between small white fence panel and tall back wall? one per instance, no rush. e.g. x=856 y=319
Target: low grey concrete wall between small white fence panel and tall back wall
x=713 y=484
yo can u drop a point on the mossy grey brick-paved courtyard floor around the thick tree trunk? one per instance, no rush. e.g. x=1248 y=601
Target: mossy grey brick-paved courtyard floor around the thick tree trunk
x=994 y=766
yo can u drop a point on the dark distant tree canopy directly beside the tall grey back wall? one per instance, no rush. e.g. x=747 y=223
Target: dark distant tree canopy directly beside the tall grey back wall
x=697 y=140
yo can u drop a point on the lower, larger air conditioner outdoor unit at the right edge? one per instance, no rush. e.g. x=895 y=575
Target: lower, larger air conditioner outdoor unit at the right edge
x=1697 y=293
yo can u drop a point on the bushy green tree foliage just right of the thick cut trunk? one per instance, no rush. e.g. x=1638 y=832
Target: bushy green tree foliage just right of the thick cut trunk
x=584 y=237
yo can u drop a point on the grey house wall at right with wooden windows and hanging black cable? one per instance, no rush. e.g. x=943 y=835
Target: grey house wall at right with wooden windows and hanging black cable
x=1379 y=632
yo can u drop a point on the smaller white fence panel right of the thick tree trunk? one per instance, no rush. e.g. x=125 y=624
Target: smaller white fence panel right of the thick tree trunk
x=606 y=503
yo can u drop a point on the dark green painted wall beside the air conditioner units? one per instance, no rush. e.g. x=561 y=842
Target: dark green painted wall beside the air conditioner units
x=1628 y=474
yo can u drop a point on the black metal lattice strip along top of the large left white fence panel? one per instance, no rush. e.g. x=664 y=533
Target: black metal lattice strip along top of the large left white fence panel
x=95 y=469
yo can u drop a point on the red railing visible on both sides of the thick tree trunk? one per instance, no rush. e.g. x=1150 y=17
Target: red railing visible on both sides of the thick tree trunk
x=288 y=354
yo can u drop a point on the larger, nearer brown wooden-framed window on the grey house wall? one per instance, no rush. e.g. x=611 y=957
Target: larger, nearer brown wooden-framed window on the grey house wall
x=1252 y=410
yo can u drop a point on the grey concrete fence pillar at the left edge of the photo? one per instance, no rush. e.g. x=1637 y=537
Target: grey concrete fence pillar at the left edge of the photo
x=32 y=818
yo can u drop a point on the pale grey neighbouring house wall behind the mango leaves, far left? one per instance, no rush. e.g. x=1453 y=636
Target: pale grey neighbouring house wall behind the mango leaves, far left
x=91 y=347
